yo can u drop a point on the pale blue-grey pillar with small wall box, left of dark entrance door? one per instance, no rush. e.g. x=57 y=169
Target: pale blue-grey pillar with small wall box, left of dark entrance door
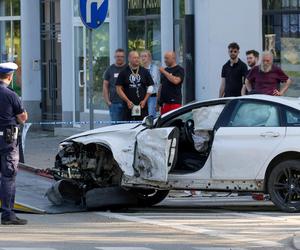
x=31 y=58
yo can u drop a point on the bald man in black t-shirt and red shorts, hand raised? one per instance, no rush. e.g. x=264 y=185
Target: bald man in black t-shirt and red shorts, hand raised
x=172 y=77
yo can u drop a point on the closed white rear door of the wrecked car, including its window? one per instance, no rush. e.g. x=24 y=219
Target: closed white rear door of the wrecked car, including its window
x=243 y=143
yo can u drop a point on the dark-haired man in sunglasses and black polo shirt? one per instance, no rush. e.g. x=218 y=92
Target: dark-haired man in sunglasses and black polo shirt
x=234 y=73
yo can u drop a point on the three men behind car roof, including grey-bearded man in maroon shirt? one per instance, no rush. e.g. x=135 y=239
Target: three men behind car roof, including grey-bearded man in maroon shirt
x=261 y=78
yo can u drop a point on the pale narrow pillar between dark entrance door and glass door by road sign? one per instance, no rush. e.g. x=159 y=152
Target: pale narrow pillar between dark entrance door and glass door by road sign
x=67 y=61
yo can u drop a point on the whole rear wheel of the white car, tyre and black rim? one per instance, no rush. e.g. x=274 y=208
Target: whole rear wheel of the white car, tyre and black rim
x=284 y=186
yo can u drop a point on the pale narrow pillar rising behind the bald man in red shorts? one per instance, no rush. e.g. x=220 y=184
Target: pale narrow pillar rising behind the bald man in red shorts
x=167 y=26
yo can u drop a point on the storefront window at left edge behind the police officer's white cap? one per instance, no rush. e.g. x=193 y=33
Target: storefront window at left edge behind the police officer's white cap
x=10 y=37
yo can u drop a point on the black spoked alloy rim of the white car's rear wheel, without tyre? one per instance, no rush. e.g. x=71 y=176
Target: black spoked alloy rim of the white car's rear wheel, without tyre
x=287 y=187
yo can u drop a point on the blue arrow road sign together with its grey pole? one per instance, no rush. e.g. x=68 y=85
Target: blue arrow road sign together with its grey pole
x=93 y=14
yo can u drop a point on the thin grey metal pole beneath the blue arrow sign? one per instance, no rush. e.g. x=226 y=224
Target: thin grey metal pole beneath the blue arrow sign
x=91 y=80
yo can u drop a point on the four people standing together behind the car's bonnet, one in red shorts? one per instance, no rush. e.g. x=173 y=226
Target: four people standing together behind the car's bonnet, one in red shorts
x=140 y=88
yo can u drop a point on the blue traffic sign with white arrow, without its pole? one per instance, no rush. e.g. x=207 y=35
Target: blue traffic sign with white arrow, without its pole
x=93 y=12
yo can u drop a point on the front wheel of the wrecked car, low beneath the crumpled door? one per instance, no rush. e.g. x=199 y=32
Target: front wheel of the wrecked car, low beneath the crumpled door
x=150 y=197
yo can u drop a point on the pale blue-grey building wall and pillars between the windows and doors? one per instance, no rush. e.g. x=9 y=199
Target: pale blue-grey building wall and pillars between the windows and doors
x=217 y=23
